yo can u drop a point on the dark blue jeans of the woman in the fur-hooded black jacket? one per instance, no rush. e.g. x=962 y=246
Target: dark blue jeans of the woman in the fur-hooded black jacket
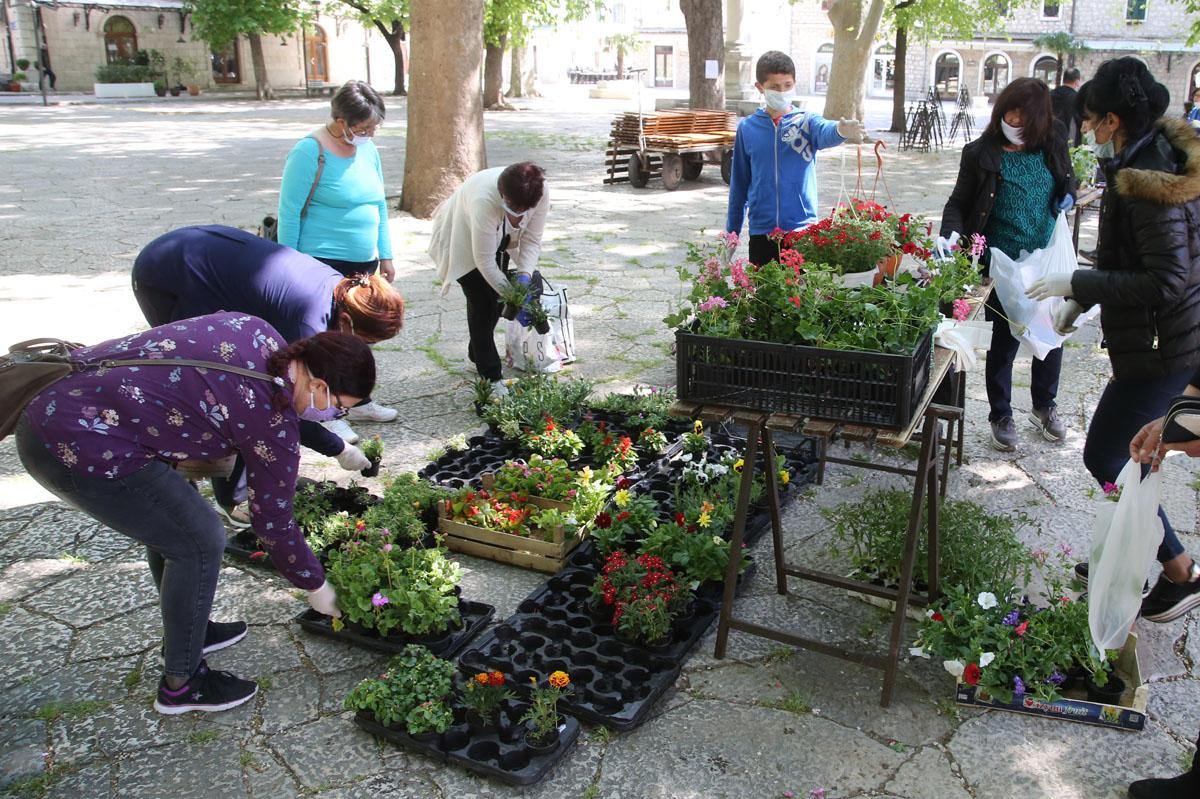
x=1125 y=407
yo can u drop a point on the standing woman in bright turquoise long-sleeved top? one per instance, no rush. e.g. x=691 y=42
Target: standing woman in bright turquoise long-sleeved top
x=346 y=223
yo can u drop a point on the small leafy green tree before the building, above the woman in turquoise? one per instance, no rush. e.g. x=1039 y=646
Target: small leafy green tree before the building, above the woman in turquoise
x=220 y=22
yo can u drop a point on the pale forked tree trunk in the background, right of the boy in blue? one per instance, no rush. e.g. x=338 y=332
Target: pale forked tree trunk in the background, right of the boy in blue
x=853 y=37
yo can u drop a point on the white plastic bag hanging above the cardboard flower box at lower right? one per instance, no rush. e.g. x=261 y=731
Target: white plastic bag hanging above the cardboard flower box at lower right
x=1127 y=537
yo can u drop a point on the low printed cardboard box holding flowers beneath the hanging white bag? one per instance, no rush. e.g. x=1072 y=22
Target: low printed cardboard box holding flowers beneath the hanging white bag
x=1130 y=716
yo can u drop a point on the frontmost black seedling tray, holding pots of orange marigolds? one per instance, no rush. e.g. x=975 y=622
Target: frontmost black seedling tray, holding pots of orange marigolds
x=500 y=754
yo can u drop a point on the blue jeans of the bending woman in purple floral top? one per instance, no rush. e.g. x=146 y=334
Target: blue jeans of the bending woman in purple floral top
x=155 y=506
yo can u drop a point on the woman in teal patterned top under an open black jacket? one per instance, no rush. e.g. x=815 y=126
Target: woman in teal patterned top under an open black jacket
x=1013 y=181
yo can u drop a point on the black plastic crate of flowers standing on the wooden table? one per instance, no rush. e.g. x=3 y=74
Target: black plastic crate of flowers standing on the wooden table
x=836 y=385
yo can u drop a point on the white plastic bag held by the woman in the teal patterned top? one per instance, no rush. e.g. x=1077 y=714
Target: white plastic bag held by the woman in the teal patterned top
x=1033 y=321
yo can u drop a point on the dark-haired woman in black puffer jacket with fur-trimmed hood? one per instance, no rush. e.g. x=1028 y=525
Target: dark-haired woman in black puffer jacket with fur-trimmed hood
x=1147 y=283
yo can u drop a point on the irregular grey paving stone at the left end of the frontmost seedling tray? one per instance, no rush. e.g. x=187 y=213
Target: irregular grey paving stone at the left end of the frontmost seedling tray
x=328 y=752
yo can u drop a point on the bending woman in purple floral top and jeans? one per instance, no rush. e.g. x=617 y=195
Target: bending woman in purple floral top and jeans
x=104 y=442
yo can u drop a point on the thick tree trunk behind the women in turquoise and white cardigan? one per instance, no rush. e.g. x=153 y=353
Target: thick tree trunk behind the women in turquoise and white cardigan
x=448 y=45
